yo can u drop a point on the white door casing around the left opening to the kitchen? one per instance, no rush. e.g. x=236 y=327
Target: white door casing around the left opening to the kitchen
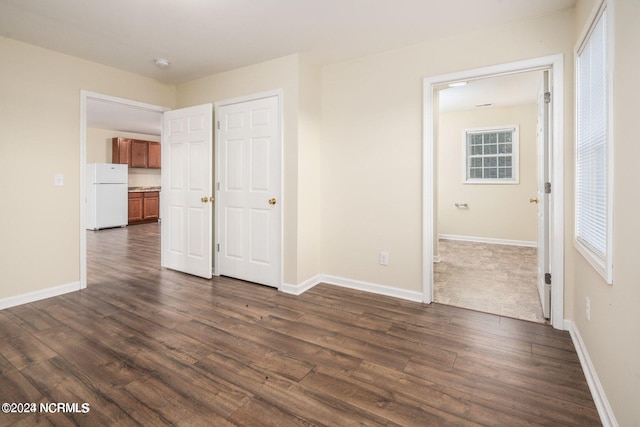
x=85 y=95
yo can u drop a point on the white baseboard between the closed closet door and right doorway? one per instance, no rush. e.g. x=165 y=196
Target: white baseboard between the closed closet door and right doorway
x=352 y=284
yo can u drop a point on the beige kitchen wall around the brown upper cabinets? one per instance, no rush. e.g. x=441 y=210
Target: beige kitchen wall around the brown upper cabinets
x=99 y=151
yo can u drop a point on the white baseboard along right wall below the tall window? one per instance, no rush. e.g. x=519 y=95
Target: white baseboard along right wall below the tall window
x=607 y=416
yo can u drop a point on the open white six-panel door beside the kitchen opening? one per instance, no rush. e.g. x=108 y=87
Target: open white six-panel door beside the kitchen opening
x=186 y=198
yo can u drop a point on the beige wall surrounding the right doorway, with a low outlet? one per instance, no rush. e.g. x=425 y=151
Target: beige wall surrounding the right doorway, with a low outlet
x=372 y=143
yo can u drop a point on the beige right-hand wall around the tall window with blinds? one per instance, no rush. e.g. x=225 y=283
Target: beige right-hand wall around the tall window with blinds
x=612 y=336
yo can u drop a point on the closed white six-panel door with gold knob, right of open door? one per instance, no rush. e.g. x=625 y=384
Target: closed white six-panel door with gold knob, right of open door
x=248 y=202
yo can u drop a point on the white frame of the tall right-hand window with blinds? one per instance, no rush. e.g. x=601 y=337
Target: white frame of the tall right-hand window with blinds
x=601 y=262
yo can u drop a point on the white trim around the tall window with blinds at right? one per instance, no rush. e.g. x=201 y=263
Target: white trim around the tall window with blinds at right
x=602 y=264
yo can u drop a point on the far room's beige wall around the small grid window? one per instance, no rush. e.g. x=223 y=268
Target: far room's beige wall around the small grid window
x=495 y=211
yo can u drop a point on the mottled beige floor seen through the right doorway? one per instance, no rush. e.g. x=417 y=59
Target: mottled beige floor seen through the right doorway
x=496 y=279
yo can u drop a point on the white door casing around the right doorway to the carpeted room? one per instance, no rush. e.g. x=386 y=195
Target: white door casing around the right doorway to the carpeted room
x=553 y=63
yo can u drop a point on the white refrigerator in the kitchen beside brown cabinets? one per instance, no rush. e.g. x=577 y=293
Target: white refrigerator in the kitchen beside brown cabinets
x=107 y=195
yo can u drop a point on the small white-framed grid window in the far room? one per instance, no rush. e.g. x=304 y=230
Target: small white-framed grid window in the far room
x=491 y=155
